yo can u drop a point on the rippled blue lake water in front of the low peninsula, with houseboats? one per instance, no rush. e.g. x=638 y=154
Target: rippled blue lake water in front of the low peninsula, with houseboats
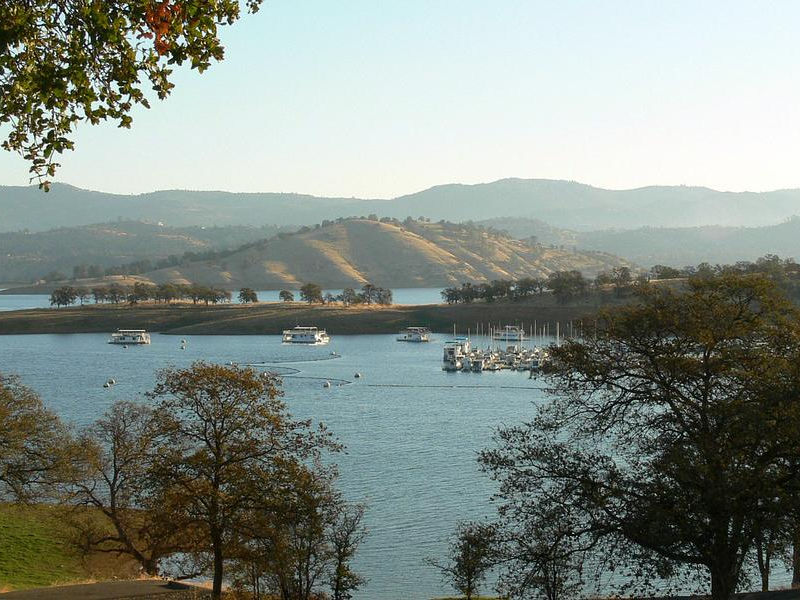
x=412 y=431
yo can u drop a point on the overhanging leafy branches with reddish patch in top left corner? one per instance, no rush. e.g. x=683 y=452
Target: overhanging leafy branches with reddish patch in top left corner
x=65 y=62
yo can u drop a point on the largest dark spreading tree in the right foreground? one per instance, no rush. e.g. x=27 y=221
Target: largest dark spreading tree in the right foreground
x=673 y=431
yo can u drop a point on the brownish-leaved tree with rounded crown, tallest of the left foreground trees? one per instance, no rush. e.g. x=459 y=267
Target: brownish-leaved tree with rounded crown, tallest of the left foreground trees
x=223 y=432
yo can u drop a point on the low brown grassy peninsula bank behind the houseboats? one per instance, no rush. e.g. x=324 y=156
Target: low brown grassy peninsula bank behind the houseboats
x=272 y=318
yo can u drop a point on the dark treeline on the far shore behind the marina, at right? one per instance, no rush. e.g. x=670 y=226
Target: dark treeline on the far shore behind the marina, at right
x=567 y=286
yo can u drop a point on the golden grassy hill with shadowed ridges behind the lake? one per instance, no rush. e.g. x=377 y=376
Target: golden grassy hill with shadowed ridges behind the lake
x=389 y=254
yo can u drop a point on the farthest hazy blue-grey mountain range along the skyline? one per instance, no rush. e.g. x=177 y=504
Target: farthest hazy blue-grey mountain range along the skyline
x=561 y=203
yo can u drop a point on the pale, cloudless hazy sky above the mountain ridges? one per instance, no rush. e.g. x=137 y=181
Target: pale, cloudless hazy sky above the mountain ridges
x=374 y=98
